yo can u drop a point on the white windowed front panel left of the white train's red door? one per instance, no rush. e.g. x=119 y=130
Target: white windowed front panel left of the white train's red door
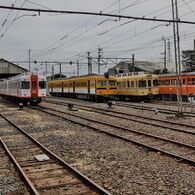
x=25 y=87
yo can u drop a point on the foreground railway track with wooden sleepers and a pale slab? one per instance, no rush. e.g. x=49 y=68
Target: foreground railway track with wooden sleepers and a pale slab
x=41 y=170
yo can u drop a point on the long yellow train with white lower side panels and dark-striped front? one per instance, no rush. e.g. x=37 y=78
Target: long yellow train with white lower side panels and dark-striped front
x=90 y=87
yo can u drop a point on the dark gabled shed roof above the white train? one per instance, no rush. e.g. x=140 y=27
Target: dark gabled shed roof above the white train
x=9 y=69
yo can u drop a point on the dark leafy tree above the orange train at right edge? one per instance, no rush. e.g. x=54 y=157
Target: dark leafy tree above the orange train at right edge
x=188 y=60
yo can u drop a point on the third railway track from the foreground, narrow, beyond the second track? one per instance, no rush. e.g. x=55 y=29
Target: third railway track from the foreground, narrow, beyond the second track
x=136 y=118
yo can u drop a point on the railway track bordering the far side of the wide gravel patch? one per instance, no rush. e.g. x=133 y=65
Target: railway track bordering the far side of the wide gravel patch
x=182 y=151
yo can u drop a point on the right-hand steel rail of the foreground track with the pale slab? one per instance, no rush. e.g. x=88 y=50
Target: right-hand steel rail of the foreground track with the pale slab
x=84 y=178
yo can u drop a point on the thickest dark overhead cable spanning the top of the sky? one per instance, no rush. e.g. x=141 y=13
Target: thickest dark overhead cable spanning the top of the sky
x=96 y=14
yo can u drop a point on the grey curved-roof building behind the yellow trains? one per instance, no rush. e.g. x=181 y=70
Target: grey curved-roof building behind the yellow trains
x=139 y=66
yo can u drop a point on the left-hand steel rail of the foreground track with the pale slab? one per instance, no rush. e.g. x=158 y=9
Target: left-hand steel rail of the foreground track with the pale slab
x=25 y=178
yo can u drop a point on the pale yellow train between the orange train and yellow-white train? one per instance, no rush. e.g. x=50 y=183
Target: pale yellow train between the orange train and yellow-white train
x=137 y=86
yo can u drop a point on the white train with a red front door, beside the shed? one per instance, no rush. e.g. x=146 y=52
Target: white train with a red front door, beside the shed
x=24 y=88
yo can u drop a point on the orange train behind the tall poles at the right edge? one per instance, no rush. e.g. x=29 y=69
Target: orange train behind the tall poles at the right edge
x=168 y=86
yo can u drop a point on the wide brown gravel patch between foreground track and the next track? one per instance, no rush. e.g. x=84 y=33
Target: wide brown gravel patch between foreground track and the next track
x=120 y=167
